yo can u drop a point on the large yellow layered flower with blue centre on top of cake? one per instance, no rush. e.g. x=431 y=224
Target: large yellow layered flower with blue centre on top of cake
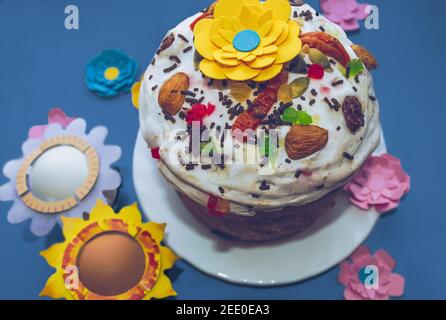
x=247 y=40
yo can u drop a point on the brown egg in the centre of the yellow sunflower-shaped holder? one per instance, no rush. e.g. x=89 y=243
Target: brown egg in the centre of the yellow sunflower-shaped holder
x=111 y=263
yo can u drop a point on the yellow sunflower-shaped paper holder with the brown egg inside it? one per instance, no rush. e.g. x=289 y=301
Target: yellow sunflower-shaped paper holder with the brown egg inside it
x=109 y=257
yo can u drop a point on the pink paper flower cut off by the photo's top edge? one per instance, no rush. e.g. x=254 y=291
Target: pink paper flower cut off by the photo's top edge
x=345 y=13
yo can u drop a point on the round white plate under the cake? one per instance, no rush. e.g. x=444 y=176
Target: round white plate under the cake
x=327 y=243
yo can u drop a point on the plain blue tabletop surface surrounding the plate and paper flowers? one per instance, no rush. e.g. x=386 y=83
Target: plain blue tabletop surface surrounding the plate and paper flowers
x=41 y=66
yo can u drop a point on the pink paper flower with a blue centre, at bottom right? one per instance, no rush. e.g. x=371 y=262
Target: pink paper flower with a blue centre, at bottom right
x=370 y=277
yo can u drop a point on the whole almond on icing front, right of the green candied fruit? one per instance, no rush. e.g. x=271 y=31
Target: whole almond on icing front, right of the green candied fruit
x=303 y=141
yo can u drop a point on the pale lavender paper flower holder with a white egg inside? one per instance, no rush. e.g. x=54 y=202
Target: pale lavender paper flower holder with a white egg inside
x=62 y=171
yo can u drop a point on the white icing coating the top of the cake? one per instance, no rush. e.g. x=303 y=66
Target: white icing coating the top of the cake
x=329 y=167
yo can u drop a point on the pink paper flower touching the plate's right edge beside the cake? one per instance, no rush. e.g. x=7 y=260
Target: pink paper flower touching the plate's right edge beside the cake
x=381 y=183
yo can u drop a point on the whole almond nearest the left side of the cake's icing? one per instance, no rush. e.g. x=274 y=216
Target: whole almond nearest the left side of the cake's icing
x=170 y=96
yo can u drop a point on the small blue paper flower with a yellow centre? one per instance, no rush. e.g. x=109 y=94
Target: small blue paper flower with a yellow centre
x=111 y=72
